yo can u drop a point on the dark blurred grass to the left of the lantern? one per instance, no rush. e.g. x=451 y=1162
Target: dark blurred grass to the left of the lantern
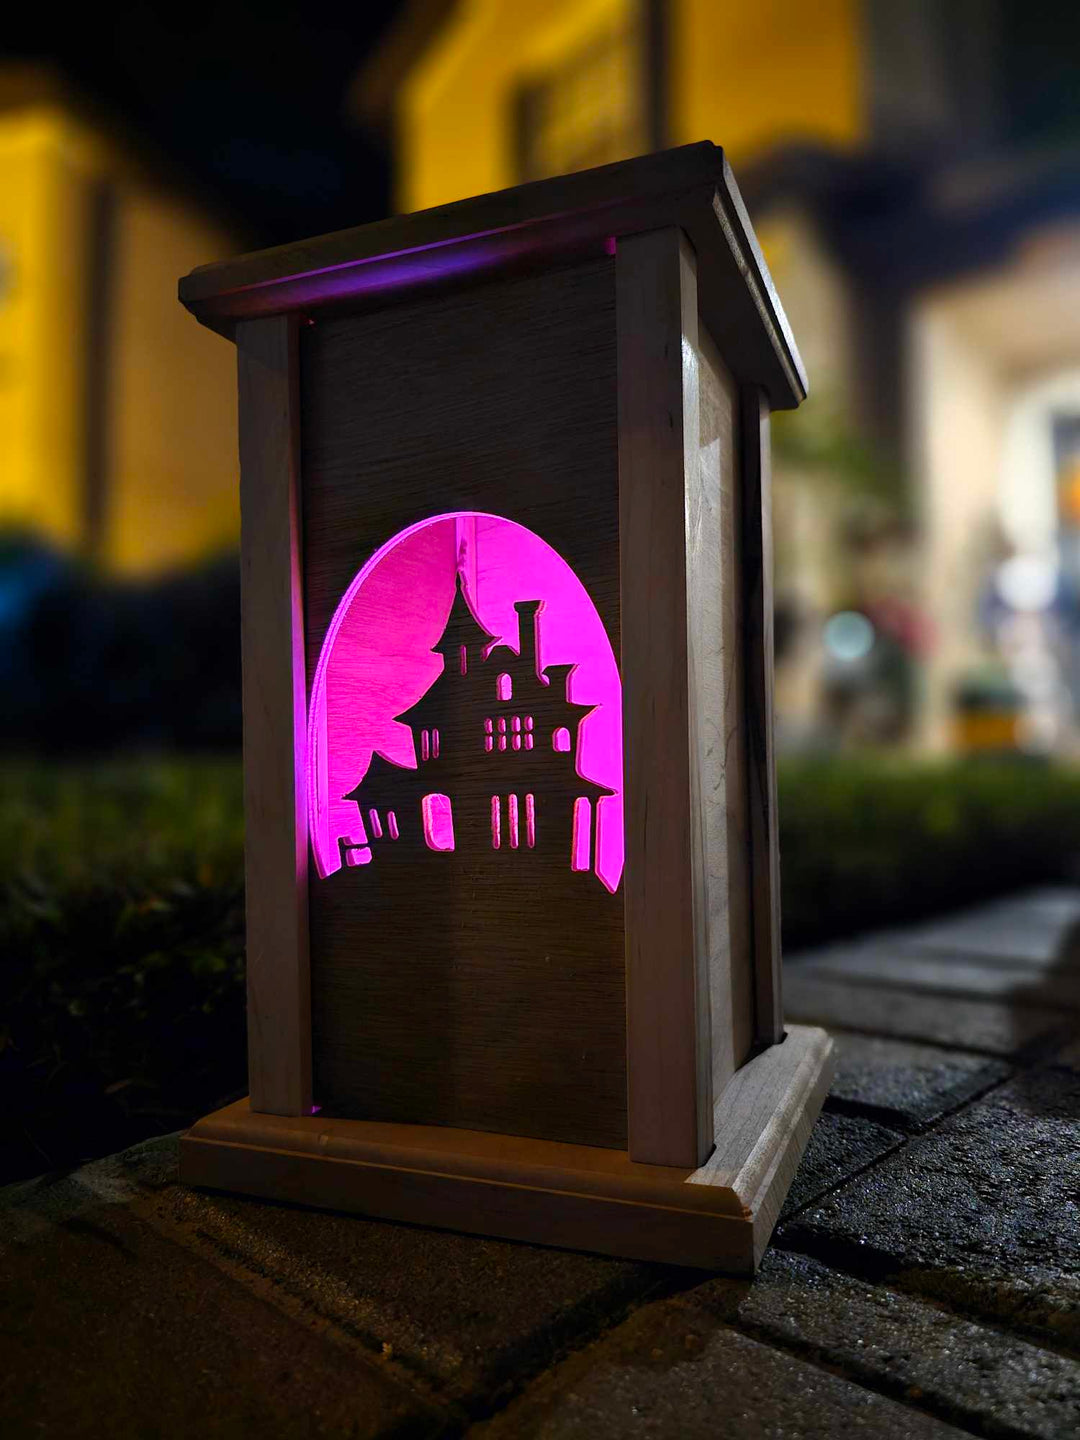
x=122 y=935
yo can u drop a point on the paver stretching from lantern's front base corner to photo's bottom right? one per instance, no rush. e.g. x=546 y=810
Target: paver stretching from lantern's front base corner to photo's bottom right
x=968 y=1373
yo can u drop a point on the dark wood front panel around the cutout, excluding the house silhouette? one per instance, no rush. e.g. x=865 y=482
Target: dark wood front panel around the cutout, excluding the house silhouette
x=469 y=999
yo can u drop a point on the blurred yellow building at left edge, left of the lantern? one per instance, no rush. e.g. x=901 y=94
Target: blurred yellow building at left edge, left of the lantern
x=117 y=415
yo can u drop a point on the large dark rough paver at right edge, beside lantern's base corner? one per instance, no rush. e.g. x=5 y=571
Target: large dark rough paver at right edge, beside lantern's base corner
x=983 y=1212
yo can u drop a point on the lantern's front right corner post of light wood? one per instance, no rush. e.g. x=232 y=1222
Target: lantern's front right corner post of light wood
x=670 y=1081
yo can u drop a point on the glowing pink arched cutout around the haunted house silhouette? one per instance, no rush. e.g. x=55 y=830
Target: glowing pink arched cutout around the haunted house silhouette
x=378 y=660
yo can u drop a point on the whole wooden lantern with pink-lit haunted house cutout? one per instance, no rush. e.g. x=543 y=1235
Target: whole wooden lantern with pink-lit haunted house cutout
x=513 y=899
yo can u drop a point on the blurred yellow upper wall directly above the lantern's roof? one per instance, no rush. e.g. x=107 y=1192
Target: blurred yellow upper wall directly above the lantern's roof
x=744 y=76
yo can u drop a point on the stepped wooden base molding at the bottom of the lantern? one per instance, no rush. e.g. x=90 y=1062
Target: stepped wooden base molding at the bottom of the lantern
x=578 y=1197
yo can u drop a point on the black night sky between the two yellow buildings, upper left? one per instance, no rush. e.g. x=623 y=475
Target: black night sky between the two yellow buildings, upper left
x=246 y=102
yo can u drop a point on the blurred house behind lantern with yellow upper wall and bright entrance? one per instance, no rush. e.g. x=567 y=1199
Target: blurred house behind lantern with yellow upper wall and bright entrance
x=914 y=172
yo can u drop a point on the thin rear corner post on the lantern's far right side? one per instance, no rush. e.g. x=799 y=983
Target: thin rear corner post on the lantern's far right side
x=765 y=852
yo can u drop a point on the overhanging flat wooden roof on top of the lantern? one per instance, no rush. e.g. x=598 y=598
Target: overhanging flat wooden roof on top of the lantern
x=570 y=217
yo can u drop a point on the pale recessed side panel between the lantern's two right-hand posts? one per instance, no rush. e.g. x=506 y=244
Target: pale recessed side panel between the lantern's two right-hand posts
x=719 y=721
